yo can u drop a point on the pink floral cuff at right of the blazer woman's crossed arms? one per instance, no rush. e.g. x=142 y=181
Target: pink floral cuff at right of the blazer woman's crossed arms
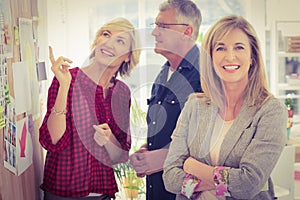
x=221 y=179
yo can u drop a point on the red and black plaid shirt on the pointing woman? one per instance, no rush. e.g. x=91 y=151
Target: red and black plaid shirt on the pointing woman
x=76 y=166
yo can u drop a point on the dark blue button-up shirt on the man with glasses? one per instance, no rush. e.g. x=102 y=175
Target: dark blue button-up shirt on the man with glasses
x=167 y=100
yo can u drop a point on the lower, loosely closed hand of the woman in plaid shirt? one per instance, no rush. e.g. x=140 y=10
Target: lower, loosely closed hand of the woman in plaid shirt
x=102 y=134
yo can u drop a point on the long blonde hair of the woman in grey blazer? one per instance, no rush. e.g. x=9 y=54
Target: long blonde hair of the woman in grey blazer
x=257 y=91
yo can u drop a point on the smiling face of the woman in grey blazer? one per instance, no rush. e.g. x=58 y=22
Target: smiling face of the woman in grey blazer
x=232 y=57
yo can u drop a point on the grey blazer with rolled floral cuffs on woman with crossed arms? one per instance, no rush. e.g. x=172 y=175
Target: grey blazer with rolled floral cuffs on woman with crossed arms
x=251 y=147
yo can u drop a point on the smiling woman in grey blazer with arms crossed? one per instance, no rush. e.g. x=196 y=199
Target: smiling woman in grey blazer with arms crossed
x=229 y=138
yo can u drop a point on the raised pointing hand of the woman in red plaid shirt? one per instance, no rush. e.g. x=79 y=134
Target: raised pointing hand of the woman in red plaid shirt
x=60 y=68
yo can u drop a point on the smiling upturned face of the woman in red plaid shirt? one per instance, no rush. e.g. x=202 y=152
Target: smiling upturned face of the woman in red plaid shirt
x=113 y=48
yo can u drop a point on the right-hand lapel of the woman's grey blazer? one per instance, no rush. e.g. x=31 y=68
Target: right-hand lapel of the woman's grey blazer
x=242 y=121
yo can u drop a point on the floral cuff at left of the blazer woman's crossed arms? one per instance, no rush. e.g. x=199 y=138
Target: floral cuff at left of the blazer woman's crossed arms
x=190 y=184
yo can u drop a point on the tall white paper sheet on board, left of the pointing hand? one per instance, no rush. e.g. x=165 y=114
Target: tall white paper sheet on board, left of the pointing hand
x=28 y=54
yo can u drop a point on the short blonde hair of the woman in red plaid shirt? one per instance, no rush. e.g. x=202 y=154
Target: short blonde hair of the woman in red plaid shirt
x=122 y=24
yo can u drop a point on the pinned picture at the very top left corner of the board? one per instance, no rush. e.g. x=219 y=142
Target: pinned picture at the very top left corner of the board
x=6 y=39
